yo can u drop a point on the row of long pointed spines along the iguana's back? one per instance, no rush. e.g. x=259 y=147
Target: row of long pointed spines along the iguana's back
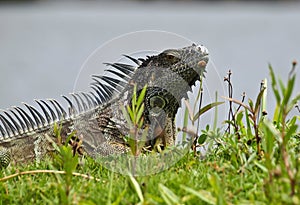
x=17 y=121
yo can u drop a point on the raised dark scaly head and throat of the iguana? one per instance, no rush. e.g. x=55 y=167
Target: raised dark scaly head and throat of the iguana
x=169 y=76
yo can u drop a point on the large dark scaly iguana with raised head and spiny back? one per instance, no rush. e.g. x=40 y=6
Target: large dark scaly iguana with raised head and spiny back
x=97 y=118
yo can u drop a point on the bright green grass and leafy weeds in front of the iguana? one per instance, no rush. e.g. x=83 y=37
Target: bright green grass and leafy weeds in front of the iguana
x=256 y=161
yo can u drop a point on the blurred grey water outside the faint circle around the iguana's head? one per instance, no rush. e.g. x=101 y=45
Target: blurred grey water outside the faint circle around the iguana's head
x=43 y=44
